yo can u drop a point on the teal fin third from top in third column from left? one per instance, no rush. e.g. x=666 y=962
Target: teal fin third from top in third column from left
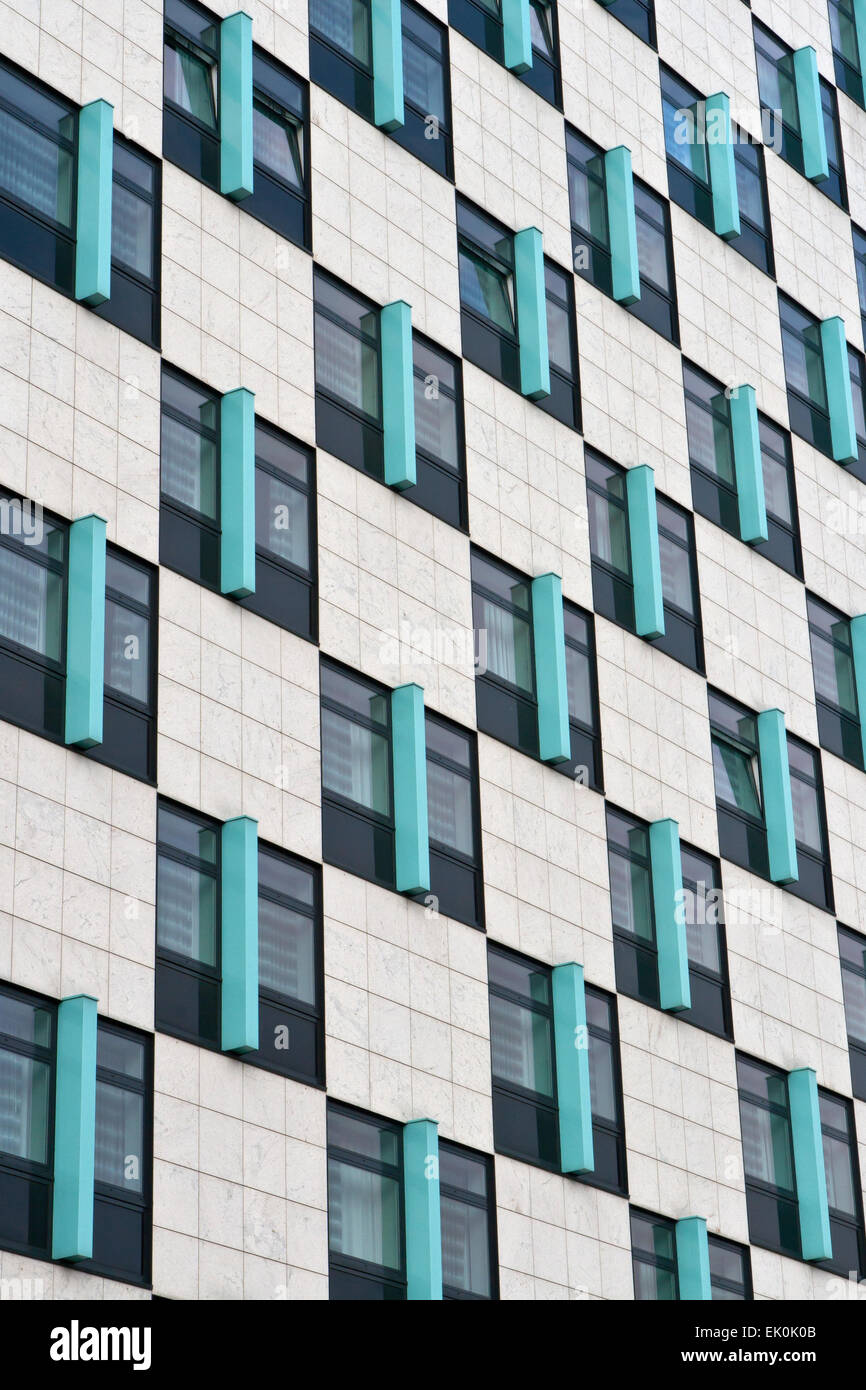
x=409 y=753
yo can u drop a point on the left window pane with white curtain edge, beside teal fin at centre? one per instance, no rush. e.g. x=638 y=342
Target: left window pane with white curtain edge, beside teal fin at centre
x=505 y=676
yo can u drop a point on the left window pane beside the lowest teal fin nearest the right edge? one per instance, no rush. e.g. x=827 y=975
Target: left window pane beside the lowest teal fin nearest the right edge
x=768 y=1157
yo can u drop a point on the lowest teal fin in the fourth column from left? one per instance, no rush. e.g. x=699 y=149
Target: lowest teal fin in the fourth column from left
x=572 y=1043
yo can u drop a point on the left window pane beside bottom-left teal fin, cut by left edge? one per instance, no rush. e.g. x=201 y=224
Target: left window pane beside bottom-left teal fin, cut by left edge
x=27 y=1122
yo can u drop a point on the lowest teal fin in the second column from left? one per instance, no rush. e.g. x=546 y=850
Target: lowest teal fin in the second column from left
x=240 y=936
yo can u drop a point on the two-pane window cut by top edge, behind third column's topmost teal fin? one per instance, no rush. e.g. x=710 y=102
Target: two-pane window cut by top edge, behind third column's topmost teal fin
x=341 y=60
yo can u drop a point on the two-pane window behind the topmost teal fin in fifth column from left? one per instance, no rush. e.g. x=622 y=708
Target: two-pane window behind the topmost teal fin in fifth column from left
x=591 y=244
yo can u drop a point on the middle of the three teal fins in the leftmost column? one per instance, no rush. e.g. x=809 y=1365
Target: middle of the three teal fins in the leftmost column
x=85 y=633
